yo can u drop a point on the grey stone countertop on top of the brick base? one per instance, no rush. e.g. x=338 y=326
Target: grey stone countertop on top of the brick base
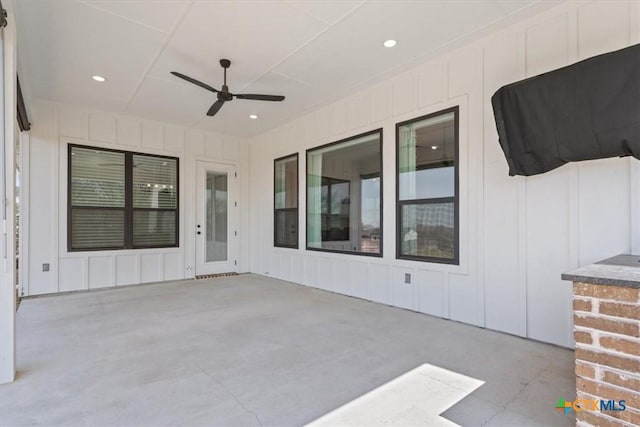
x=620 y=270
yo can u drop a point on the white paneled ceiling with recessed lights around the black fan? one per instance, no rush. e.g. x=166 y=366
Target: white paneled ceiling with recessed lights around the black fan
x=310 y=51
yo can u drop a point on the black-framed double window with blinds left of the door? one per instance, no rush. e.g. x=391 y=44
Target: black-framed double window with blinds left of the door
x=121 y=200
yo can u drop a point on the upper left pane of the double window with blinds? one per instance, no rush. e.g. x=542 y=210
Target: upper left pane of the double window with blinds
x=97 y=178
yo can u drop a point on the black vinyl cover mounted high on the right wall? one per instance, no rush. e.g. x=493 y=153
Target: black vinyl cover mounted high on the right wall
x=588 y=110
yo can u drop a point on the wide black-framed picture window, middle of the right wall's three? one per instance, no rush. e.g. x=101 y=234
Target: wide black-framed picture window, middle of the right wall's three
x=344 y=195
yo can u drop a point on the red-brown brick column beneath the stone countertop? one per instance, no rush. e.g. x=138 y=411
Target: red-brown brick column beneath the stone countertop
x=607 y=333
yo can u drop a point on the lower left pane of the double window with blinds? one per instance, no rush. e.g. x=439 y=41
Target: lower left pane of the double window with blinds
x=97 y=228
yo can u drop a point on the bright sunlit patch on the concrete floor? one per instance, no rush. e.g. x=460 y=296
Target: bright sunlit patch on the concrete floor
x=417 y=397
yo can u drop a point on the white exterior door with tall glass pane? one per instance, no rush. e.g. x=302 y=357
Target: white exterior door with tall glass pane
x=216 y=219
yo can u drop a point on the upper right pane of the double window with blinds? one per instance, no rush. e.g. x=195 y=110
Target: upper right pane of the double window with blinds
x=154 y=182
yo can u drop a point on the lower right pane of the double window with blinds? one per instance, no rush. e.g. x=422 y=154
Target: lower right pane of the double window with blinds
x=154 y=228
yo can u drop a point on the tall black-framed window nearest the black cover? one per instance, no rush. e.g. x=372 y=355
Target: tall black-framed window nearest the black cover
x=427 y=188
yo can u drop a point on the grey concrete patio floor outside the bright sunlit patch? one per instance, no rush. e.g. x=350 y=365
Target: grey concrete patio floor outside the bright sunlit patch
x=250 y=350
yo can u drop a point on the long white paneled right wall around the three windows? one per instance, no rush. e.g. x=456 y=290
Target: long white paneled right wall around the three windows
x=517 y=235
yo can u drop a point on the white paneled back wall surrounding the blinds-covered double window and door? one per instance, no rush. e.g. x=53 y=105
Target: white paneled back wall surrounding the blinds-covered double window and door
x=56 y=125
